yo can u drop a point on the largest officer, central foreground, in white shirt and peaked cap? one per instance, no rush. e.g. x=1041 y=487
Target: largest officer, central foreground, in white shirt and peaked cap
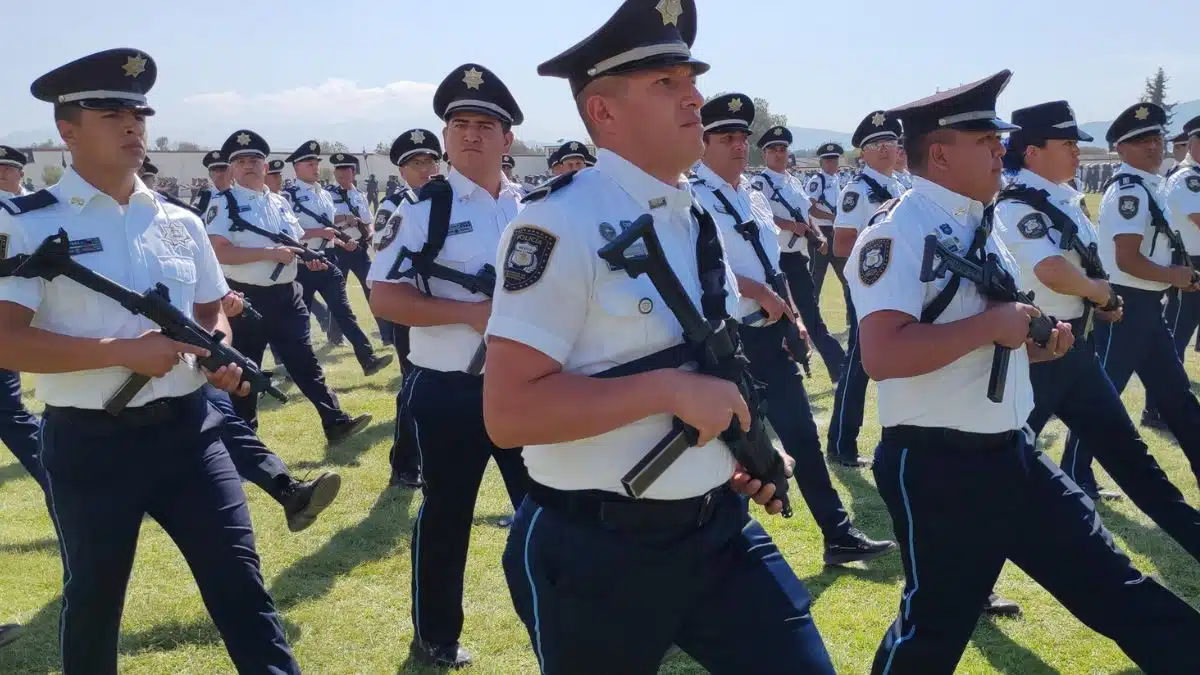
x=686 y=565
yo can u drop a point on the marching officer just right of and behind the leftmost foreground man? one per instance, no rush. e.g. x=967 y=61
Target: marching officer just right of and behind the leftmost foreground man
x=266 y=272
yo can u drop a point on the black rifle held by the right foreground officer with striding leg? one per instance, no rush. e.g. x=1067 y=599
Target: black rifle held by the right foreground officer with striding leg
x=997 y=284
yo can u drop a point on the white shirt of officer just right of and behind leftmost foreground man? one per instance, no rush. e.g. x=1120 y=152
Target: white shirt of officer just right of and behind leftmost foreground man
x=263 y=210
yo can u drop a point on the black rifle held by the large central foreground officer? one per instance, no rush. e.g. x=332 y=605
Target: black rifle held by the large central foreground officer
x=719 y=357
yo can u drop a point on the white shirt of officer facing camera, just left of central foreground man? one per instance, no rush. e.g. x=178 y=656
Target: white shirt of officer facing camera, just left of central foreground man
x=477 y=222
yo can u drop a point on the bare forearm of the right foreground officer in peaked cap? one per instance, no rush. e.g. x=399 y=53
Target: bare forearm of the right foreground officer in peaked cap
x=896 y=345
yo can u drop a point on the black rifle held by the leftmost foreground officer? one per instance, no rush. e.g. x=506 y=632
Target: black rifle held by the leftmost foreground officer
x=53 y=260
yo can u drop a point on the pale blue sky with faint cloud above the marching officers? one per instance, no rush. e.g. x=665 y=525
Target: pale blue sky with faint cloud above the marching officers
x=365 y=71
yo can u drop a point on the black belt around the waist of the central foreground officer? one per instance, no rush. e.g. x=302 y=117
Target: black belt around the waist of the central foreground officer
x=619 y=512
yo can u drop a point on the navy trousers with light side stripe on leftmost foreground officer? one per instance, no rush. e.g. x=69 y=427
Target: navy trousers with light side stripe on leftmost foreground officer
x=105 y=475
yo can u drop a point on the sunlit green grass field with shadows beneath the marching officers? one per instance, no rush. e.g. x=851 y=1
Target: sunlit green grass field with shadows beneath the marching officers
x=344 y=586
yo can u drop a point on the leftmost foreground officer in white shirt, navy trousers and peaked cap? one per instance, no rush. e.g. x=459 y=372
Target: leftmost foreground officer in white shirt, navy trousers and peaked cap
x=161 y=456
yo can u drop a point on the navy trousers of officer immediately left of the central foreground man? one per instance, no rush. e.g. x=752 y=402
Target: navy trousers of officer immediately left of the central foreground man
x=447 y=415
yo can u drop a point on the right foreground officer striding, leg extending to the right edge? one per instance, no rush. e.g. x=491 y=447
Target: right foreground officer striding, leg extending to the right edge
x=951 y=457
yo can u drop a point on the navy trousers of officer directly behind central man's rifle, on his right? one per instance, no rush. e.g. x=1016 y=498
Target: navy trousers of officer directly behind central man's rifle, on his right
x=788 y=409
